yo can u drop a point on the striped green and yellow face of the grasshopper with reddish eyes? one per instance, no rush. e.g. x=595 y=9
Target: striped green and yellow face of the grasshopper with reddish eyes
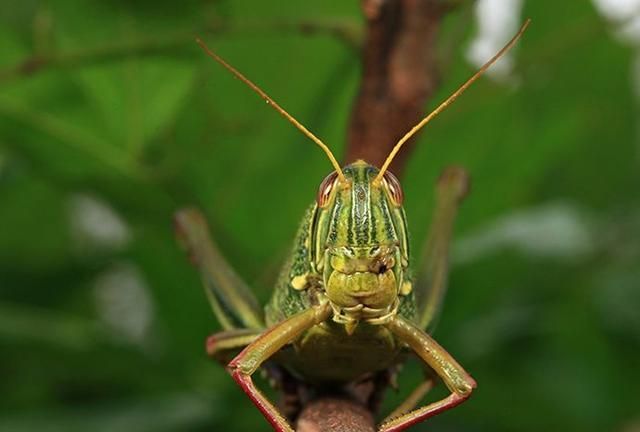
x=359 y=244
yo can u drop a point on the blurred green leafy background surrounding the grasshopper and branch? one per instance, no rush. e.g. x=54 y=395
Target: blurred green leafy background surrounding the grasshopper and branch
x=111 y=119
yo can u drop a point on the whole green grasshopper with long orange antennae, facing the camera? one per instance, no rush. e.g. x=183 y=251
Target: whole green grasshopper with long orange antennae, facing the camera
x=345 y=305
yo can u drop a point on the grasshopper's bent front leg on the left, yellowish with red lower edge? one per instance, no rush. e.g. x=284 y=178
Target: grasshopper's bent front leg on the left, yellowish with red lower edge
x=260 y=350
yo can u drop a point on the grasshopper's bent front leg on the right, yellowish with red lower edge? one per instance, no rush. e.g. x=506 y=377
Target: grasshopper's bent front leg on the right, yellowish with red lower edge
x=454 y=376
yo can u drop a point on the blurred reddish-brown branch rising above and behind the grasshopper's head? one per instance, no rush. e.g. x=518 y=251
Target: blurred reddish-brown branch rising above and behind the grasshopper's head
x=399 y=75
